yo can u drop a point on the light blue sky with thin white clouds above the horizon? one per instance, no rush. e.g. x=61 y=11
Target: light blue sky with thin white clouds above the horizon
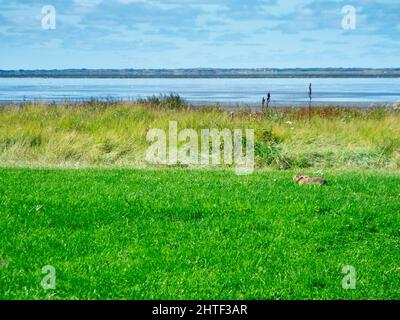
x=199 y=33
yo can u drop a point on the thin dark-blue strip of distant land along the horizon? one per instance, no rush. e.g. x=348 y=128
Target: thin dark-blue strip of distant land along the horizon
x=206 y=73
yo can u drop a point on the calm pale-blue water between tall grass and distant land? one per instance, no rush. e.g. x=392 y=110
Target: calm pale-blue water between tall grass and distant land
x=205 y=91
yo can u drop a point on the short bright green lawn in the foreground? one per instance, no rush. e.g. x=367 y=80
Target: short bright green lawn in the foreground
x=181 y=234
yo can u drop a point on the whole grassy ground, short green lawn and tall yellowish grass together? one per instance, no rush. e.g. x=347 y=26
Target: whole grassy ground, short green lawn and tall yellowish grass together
x=77 y=194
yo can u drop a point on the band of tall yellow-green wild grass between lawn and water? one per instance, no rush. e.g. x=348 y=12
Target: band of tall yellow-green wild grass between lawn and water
x=114 y=134
